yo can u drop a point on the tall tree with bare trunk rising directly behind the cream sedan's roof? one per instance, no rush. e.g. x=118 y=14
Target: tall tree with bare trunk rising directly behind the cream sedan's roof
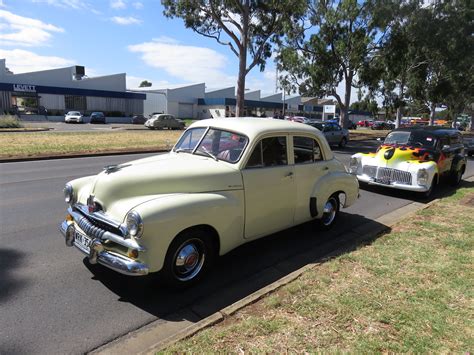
x=245 y=26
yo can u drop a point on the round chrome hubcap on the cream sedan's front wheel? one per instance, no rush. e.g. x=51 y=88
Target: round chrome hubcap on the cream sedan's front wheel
x=189 y=259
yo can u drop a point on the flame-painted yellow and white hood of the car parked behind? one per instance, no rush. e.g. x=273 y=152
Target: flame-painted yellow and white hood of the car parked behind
x=400 y=157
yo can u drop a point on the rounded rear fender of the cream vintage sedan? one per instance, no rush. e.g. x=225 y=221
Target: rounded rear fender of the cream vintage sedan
x=335 y=182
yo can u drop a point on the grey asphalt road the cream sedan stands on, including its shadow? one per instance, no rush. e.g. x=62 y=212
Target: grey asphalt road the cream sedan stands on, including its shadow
x=52 y=301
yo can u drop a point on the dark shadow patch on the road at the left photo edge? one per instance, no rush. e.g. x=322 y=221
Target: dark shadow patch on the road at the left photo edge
x=9 y=285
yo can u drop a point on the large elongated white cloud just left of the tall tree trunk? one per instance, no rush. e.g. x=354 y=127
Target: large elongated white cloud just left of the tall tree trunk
x=188 y=63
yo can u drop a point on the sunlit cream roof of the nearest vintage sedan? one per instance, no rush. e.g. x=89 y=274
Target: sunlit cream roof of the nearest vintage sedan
x=254 y=127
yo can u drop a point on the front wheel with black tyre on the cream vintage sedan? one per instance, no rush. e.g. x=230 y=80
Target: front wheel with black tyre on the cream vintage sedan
x=188 y=258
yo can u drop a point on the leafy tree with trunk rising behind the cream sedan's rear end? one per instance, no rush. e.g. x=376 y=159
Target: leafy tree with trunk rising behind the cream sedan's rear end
x=343 y=35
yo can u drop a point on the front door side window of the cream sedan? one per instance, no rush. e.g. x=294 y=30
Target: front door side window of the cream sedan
x=269 y=152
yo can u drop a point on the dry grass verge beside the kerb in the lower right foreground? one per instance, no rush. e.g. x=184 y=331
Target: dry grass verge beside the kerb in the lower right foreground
x=408 y=291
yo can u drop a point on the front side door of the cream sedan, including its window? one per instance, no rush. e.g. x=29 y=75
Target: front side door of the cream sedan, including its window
x=269 y=188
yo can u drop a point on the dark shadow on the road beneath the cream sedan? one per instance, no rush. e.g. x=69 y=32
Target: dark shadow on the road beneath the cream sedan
x=242 y=271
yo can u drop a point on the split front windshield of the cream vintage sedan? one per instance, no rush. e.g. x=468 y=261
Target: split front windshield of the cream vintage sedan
x=215 y=143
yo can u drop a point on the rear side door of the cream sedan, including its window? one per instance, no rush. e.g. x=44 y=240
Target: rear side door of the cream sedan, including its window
x=309 y=167
